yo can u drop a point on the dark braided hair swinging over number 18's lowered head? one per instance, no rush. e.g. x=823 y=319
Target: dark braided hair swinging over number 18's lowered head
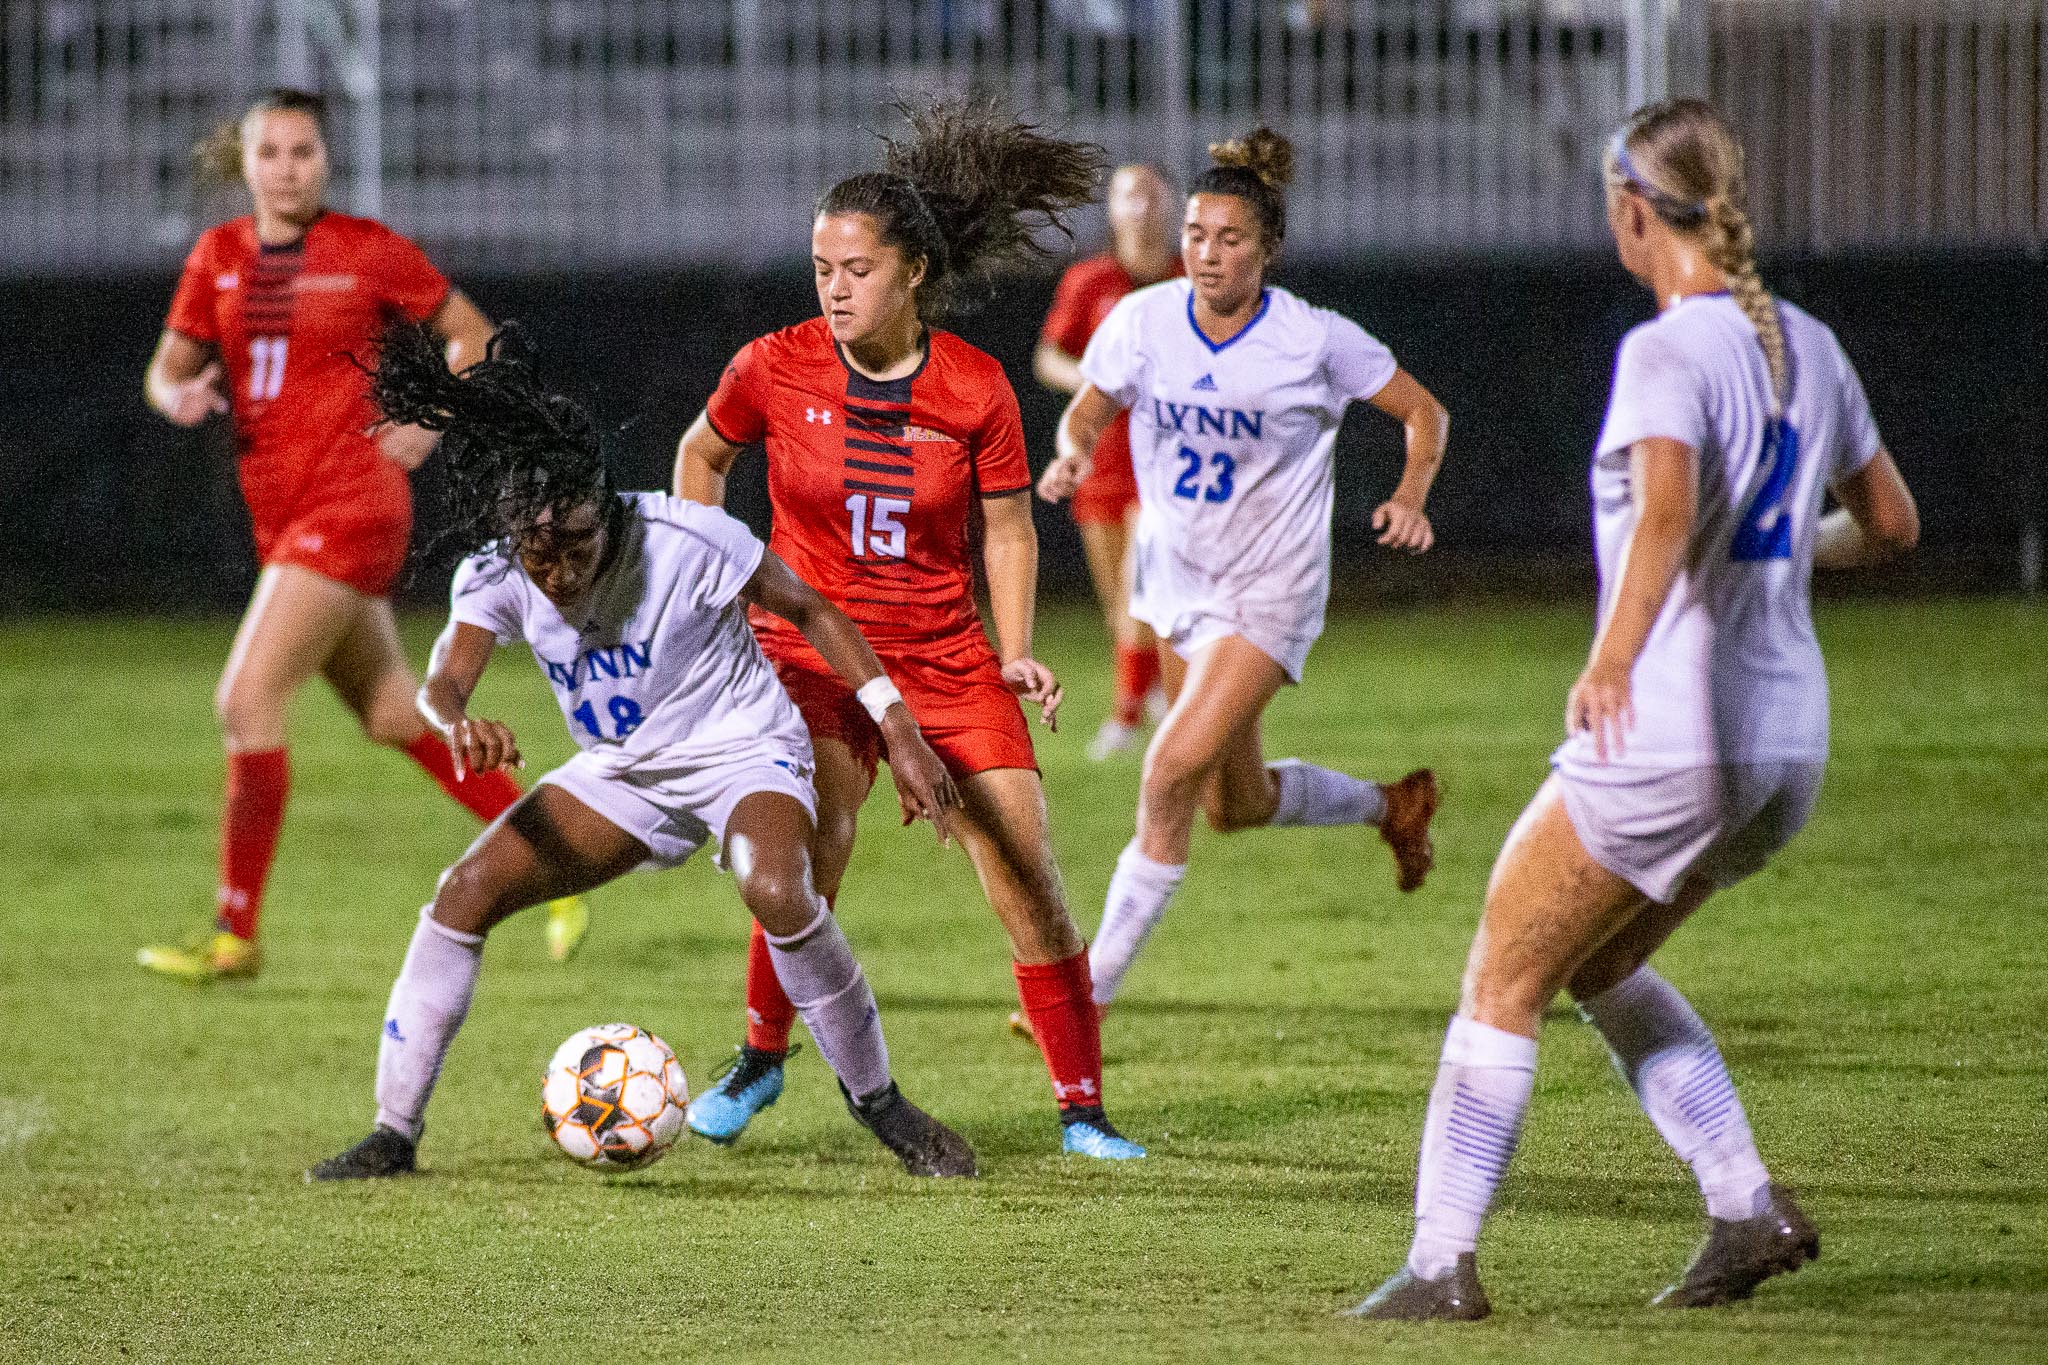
x=519 y=455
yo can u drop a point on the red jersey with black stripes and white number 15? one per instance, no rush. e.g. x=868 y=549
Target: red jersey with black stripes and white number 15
x=873 y=482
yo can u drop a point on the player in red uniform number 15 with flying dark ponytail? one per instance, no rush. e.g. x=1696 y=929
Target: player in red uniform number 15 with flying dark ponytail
x=886 y=439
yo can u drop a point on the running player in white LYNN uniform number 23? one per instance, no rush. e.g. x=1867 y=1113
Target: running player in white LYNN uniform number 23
x=1236 y=392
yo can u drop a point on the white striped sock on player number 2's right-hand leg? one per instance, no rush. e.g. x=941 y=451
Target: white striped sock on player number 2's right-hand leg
x=1674 y=1067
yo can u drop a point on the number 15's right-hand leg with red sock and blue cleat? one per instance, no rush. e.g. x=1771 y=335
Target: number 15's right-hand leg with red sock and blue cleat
x=1007 y=836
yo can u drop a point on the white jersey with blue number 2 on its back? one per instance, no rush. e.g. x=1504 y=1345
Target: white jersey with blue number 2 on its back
x=1732 y=672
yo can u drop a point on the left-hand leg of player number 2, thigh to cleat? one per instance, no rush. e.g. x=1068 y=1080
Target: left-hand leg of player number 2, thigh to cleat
x=1549 y=908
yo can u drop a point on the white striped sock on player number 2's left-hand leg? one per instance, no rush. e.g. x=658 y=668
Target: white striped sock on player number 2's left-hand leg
x=1476 y=1116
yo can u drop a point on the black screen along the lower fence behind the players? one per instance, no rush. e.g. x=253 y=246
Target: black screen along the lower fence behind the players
x=112 y=509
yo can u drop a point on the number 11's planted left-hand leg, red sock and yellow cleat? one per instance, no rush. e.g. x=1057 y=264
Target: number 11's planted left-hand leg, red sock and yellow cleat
x=292 y=625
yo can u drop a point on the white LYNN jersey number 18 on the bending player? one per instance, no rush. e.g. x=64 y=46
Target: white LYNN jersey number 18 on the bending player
x=663 y=668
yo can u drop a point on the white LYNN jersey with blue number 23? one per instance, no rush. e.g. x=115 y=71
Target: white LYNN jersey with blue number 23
x=1234 y=451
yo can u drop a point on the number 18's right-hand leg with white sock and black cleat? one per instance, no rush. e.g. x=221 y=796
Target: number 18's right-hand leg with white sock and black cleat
x=769 y=848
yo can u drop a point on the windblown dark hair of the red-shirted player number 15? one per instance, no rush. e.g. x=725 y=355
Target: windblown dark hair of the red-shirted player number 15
x=968 y=191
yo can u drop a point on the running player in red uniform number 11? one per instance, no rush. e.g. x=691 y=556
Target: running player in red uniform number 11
x=265 y=318
